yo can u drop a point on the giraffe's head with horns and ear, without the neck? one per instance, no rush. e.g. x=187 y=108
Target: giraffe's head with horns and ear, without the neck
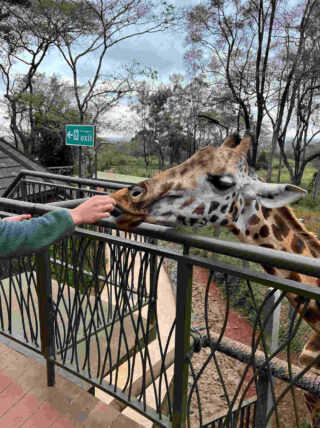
x=213 y=186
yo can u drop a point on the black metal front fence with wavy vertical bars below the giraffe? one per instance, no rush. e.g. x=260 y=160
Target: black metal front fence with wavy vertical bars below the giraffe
x=91 y=304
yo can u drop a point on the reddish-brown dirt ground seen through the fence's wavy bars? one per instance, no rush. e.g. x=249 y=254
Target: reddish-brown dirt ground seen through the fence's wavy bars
x=213 y=396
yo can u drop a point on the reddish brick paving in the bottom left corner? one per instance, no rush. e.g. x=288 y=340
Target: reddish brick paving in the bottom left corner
x=26 y=401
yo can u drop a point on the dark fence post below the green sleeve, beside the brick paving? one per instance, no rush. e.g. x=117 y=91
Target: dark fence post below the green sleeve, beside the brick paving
x=46 y=320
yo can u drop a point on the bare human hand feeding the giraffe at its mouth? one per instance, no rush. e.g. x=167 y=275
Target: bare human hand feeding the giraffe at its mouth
x=93 y=210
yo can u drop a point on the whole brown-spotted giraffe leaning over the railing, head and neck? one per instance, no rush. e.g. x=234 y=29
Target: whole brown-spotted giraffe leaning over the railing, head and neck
x=215 y=186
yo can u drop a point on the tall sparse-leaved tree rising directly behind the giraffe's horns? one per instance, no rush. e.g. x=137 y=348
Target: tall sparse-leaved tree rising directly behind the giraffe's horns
x=231 y=42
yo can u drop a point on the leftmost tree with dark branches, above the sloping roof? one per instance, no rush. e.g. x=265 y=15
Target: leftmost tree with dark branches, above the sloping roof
x=25 y=41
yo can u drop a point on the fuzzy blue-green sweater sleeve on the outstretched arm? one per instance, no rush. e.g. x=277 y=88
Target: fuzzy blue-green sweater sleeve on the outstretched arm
x=27 y=236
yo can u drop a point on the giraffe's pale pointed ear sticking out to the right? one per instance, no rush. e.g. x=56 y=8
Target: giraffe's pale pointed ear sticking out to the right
x=278 y=195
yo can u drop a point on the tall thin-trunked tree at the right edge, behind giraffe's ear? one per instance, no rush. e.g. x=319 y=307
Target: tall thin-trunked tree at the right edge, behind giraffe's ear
x=296 y=97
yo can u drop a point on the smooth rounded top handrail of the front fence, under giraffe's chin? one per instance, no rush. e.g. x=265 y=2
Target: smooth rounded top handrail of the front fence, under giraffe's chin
x=261 y=255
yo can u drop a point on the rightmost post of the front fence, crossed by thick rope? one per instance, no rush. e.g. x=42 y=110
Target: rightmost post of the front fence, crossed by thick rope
x=265 y=384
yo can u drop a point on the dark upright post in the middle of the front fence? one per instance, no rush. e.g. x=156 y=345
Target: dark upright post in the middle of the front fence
x=182 y=342
